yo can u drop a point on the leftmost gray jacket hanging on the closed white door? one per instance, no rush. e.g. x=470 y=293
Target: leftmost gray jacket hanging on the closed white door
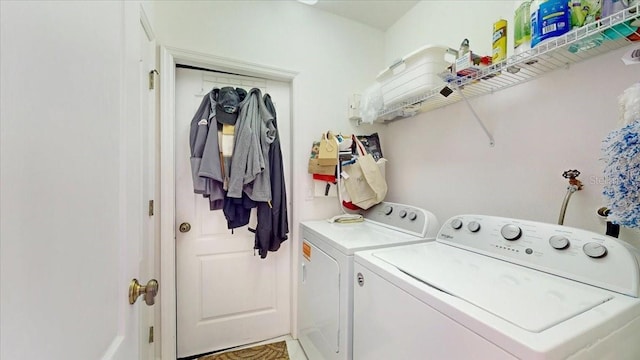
x=205 y=154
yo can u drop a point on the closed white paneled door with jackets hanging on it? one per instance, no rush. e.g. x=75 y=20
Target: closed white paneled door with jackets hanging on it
x=226 y=295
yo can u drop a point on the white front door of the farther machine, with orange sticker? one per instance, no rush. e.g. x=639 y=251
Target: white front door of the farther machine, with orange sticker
x=319 y=303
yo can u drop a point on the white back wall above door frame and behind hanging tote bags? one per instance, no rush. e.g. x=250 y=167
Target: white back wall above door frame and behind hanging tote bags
x=333 y=56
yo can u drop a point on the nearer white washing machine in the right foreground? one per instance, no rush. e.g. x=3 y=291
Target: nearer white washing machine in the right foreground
x=499 y=288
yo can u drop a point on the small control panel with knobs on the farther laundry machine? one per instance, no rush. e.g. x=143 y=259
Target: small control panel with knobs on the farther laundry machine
x=406 y=218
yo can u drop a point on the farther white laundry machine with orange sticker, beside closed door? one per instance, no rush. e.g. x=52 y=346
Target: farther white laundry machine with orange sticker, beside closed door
x=325 y=281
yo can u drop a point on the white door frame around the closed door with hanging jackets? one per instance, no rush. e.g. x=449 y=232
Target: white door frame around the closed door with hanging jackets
x=169 y=58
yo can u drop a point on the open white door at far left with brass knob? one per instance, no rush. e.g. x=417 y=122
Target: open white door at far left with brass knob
x=71 y=175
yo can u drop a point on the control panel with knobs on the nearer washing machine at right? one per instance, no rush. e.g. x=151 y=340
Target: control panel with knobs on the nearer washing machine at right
x=572 y=253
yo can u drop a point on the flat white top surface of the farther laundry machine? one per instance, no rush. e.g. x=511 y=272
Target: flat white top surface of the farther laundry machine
x=351 y=237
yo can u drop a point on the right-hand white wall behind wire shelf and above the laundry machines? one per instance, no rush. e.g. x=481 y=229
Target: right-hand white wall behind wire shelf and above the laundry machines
x=441 y=160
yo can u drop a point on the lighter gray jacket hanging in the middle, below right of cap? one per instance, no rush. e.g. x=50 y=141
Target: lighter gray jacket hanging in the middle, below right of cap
x=254 y=133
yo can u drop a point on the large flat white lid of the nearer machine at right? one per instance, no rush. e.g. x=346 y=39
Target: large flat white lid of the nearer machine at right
x=530 y=299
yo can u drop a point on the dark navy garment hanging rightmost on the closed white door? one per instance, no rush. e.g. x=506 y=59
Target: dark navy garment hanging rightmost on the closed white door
x=273 y=223
